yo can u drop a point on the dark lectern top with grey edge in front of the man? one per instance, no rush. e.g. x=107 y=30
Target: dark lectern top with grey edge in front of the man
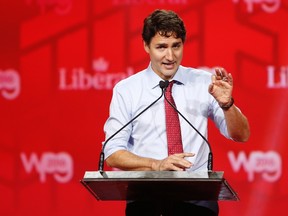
x=155 y=185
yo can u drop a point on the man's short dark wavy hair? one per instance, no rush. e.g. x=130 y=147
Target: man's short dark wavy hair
x=164 y=22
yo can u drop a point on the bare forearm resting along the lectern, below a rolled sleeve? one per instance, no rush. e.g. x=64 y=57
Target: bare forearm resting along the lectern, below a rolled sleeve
x=126 y=160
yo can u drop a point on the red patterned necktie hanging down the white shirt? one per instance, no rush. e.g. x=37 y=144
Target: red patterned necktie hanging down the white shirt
x=173 y=131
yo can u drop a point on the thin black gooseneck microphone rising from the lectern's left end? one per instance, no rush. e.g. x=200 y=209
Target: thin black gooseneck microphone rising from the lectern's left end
x=163 y=85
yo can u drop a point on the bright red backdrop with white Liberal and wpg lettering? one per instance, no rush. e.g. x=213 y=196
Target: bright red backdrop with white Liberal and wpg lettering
x=59 y=61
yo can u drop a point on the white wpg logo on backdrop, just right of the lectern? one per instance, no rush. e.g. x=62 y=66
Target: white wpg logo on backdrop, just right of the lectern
x=268 y=164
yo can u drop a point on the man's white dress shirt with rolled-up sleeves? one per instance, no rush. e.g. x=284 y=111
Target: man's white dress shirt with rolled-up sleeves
x=146 y=135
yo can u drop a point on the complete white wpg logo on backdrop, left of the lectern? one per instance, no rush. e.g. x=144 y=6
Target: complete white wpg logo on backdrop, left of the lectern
x=60 y=165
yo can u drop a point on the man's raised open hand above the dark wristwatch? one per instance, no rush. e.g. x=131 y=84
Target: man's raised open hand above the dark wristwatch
x=221 y=86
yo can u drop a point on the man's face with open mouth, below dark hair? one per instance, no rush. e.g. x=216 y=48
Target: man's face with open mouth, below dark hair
x=165 y=54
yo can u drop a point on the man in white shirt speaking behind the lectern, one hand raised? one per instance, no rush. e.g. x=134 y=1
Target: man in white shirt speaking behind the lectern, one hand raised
x=198 y=95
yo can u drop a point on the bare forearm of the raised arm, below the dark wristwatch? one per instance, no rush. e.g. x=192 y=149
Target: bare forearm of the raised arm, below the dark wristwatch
x=237 y=124
